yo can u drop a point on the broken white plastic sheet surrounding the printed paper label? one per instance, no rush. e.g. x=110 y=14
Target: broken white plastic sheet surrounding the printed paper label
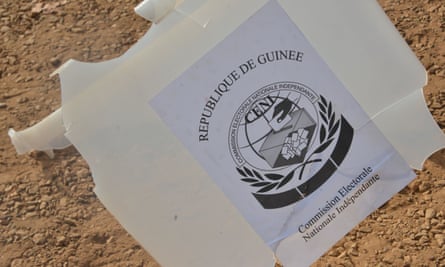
x=138 y=163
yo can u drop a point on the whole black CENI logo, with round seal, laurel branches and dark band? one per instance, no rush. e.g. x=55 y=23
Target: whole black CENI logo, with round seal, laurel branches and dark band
x=287 y=141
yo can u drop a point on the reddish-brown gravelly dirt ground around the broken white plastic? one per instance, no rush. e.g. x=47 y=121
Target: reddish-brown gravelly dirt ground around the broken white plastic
x=49 y=215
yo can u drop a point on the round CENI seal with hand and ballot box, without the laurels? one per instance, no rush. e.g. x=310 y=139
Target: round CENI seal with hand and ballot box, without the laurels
x=274 y=127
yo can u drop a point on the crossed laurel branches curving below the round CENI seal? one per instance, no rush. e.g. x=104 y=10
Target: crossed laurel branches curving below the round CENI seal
x=266 y=182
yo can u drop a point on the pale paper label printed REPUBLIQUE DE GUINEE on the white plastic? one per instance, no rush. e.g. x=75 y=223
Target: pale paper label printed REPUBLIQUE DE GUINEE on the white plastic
x=281 y=136
